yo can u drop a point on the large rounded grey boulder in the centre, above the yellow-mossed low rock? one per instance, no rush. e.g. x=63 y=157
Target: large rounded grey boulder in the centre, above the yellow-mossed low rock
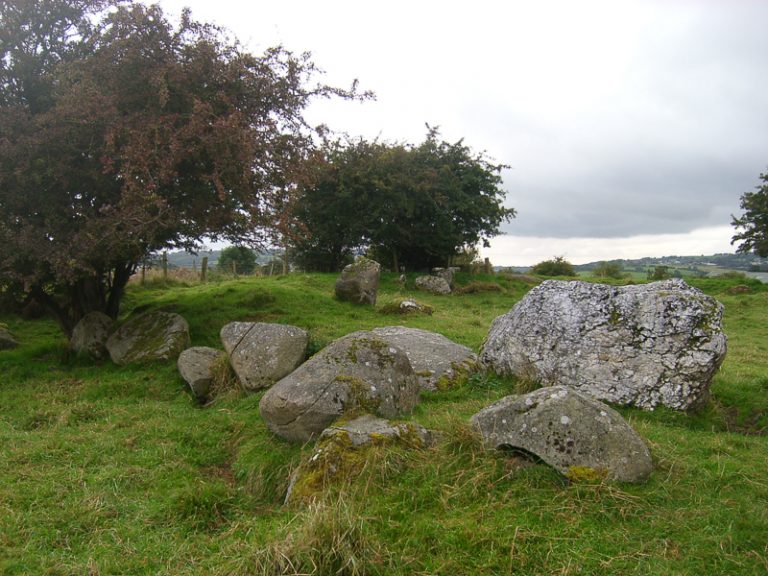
x=359 y=372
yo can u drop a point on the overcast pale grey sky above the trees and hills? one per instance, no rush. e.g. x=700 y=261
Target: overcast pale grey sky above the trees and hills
x=632 y=127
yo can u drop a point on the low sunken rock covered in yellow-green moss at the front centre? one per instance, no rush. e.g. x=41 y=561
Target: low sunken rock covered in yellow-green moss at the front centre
x=342 y=450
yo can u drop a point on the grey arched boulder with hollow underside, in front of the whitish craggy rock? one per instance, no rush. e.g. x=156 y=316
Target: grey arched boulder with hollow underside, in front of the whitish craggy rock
x=572 y=432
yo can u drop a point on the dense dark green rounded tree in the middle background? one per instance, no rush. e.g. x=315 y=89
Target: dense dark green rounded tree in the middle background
x=414 y=206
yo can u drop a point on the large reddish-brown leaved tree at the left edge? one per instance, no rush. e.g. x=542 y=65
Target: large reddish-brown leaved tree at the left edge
x=122 y=134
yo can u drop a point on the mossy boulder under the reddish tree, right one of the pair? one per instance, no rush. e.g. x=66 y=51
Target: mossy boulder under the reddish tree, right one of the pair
x=150 y=337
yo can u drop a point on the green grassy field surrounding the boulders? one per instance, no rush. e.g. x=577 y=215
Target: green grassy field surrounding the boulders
x=108 y=470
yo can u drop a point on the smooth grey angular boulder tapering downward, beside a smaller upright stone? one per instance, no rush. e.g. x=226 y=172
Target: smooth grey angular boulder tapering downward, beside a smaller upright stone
x=262 y=353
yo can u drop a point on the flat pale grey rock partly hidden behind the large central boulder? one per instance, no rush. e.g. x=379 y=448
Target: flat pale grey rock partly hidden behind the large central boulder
x=436 y=360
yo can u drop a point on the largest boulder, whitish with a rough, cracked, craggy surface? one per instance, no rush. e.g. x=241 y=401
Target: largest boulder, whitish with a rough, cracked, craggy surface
x=646 y=345
